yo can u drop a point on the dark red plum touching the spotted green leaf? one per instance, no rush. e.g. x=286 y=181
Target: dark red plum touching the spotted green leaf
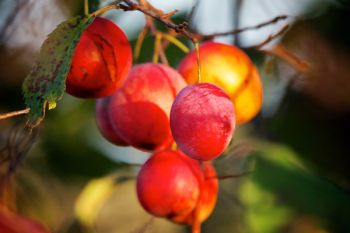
x=101 y=61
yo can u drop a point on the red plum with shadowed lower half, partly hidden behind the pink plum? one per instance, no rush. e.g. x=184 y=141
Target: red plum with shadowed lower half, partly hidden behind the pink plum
x=140 y=109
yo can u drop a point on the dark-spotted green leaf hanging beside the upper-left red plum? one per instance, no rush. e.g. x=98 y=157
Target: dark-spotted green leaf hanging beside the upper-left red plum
x=45 y=84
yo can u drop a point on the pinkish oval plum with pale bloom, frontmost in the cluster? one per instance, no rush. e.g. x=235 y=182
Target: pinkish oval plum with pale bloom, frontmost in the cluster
x=202 y=121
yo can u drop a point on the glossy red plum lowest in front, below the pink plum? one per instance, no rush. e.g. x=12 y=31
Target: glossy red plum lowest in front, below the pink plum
x=167 y=186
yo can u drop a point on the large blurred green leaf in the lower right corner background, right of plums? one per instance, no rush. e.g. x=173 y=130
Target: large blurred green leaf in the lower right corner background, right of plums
x=282 y=187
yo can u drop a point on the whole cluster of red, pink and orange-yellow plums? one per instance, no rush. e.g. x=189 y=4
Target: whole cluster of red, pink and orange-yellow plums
x=155 y=108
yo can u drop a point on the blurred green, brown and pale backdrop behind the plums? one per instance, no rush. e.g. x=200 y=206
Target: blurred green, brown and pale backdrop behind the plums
x=298 y=147
